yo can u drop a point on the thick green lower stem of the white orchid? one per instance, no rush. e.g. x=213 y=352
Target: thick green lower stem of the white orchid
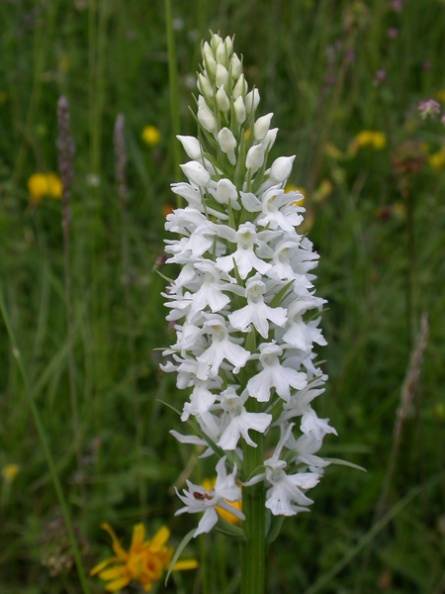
x=254 y=498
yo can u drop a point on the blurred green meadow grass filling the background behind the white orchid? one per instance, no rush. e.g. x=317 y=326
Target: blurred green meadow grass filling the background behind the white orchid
x=329 y=70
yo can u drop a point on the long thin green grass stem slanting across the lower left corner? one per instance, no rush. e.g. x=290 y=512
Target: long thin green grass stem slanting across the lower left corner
x=45 y=448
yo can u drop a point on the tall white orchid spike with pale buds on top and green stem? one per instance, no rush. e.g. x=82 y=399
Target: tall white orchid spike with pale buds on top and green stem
x=245 y=315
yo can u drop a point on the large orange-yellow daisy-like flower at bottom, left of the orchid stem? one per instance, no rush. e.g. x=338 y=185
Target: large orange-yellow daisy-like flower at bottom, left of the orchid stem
x=144 y=562
